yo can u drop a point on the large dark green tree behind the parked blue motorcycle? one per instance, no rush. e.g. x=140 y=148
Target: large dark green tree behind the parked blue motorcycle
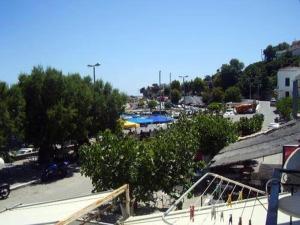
x=66 y=108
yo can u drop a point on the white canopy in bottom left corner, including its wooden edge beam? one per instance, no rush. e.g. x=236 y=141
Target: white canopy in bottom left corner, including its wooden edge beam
x=57 y=212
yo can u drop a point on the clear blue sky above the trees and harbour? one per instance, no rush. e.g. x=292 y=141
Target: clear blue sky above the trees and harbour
x=134 y=39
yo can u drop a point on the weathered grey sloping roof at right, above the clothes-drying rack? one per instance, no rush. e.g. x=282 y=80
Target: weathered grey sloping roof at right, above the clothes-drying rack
x=264 y=144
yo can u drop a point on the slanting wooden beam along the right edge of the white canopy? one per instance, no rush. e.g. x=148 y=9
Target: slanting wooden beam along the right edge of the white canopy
x=94 y=205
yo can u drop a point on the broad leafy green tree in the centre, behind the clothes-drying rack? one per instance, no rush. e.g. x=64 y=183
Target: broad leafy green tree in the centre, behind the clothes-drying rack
x=160 y=163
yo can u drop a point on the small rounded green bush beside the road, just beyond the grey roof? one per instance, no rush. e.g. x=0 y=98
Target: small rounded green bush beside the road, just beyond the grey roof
x=248 y=126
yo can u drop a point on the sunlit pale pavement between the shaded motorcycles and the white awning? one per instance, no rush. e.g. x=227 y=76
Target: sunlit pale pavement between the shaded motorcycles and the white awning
x=69 y=187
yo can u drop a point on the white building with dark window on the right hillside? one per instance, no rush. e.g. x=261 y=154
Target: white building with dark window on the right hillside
x=285 y=78
